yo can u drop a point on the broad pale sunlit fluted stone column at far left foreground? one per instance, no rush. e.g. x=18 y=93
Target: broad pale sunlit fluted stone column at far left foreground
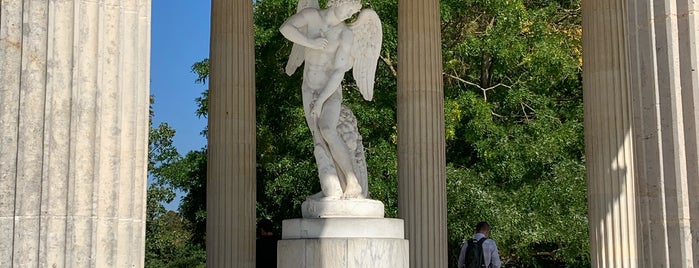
x=73 y=132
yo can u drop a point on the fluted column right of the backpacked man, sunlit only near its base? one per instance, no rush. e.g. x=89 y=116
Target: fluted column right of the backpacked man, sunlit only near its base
x=608 y=136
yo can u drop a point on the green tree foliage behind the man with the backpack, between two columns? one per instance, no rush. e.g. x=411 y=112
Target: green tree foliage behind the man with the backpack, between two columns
x=513 y=97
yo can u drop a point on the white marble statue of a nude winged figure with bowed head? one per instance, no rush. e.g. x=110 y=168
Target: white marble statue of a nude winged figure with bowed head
x=329 y=47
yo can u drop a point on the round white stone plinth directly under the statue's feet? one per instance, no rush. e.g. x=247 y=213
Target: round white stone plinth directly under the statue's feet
x=342 y=208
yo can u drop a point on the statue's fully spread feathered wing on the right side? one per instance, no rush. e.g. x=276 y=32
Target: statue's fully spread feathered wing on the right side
x=365 y=50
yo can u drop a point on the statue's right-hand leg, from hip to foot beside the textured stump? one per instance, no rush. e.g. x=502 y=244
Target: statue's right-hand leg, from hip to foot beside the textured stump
x=338 y=150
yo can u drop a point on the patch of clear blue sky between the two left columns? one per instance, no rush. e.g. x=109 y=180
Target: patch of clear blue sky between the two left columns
x=179 y=37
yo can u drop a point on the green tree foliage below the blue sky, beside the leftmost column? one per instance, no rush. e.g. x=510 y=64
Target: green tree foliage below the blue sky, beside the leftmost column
x=171 y=239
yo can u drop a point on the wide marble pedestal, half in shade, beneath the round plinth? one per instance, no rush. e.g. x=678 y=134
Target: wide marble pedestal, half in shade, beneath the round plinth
x=342 y=242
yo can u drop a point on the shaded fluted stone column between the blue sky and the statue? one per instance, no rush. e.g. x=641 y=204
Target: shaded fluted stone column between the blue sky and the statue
x=230 y=225
